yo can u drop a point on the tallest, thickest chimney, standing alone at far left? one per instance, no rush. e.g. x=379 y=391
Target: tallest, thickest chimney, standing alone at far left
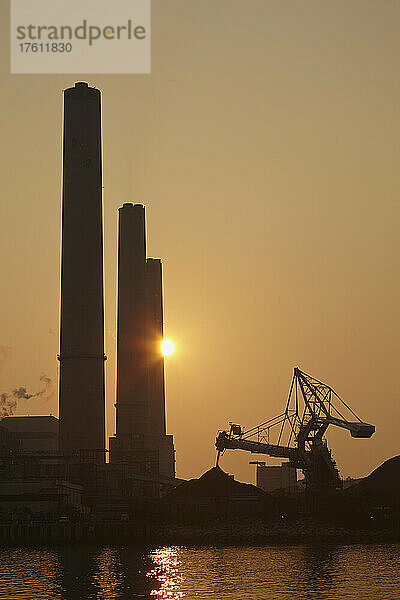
x=82 y=398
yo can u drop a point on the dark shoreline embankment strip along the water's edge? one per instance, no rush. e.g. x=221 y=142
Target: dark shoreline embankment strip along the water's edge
x=227 y=534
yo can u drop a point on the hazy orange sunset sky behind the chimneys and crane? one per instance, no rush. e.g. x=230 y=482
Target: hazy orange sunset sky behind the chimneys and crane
x=265 y=147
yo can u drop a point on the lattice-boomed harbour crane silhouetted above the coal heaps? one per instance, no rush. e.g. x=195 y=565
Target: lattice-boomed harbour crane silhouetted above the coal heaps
x=298 y=433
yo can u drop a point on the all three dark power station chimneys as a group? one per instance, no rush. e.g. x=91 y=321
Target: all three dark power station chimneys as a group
x=140 y=442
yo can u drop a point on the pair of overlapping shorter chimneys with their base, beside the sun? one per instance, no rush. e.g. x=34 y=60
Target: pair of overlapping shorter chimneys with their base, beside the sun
x=140 y=441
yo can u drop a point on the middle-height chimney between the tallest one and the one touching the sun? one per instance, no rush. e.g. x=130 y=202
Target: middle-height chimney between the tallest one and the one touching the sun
x=132 y=405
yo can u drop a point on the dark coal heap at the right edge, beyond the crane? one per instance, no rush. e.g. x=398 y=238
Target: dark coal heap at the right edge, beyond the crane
x=383 y=483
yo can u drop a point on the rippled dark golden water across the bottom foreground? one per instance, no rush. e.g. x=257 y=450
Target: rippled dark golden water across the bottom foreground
x=314 y=572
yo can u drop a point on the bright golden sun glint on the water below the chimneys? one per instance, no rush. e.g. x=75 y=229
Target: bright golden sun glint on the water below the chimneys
x=167 y=574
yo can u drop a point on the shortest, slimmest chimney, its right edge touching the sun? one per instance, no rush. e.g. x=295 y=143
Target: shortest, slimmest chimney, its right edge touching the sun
x=155 y=333
